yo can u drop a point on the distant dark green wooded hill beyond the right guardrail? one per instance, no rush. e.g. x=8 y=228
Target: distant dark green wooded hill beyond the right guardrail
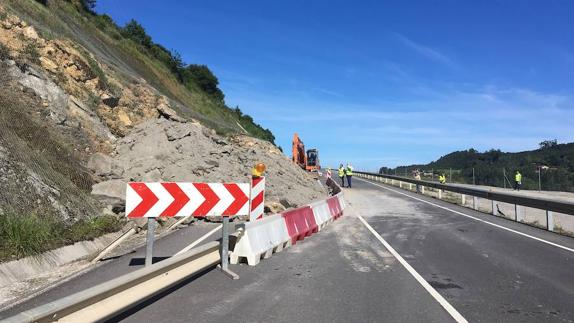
x=555 y=160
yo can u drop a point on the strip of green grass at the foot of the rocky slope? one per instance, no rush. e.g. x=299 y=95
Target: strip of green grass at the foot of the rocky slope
x=31 y=234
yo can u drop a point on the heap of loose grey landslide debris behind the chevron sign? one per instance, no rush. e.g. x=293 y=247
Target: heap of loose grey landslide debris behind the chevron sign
x=167 y=150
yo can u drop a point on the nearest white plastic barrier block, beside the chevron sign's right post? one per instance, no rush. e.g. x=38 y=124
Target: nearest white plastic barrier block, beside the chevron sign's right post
x=260 y=238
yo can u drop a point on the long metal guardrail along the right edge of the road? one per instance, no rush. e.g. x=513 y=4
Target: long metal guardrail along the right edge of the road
x=533 y=202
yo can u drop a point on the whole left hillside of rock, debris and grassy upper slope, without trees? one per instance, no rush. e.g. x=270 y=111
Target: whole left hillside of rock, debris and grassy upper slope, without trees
x=78 y=119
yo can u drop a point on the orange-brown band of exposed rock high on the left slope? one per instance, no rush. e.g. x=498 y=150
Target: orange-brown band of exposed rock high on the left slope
x=79 y=74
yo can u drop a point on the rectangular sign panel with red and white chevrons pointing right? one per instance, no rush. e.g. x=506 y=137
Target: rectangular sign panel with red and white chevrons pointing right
x=153 y=200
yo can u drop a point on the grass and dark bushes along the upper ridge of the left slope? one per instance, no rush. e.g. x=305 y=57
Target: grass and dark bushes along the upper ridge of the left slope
x=129 y=49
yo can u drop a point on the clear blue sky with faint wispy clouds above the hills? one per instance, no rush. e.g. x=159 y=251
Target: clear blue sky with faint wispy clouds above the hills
x=382 y=84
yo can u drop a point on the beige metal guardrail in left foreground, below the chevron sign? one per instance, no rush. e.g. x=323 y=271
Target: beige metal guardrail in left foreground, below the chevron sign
x=108 y=299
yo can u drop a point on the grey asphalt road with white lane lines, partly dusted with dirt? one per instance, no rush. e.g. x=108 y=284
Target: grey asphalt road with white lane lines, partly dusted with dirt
x=345 y=273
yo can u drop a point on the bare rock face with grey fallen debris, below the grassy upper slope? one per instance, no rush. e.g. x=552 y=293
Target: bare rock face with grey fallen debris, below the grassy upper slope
x=63 y=112
